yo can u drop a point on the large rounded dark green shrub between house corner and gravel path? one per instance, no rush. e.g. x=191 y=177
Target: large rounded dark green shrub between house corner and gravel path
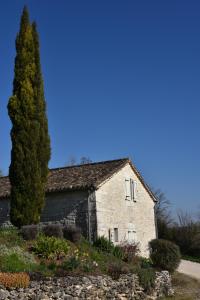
x=165 y=254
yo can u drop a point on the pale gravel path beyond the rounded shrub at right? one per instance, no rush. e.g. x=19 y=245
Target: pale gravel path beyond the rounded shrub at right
x=189 y=268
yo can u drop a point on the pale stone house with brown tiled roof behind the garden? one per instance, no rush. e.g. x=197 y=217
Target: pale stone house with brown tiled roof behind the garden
x=108 y=198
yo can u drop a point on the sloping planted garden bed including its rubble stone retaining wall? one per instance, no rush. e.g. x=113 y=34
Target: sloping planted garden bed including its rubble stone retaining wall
x=66 y=266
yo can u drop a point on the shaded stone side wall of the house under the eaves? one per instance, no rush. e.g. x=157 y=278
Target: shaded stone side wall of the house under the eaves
x=61 y=207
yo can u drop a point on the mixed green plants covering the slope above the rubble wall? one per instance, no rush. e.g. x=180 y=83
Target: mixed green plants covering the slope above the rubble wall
x=55 y=256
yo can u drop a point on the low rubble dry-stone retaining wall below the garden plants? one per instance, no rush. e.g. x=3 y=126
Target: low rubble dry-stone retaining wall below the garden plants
x=90 y=287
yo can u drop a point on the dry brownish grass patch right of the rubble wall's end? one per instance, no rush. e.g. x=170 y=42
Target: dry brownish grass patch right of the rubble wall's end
x=186 y=288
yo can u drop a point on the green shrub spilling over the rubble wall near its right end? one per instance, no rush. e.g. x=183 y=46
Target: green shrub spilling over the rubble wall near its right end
x=146 y=279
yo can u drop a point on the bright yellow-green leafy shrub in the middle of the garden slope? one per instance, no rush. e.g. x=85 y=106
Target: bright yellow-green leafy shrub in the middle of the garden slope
x=50 y=247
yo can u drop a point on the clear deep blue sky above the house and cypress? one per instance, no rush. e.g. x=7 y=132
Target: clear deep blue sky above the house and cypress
x=122 y=78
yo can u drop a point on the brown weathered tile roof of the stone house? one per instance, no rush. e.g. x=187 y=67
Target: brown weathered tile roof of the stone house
x=79 y=177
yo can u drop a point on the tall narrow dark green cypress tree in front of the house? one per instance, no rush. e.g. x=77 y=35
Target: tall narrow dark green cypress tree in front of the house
x=26 y=171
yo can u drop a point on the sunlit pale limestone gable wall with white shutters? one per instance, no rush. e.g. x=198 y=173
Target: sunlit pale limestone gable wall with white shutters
x=135 y=218
